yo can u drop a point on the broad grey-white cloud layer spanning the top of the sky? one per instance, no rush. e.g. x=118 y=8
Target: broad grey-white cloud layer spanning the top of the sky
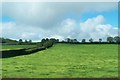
x=48 y=15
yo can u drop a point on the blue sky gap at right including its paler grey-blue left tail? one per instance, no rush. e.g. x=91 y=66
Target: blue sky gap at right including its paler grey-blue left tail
x=110 y=16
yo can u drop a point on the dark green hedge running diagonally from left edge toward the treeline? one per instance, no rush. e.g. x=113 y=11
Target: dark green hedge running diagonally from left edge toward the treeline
x=39 y=47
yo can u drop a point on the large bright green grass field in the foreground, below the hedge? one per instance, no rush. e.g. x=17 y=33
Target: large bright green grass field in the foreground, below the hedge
x=65 y=60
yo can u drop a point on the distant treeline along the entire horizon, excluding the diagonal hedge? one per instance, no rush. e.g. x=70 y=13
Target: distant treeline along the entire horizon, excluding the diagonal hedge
x=47 y=41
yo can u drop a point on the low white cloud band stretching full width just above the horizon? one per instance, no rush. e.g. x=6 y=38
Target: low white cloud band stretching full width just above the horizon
x=91 y=28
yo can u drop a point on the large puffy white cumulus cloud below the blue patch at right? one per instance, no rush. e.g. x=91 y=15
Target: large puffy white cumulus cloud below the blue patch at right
x=96 y=28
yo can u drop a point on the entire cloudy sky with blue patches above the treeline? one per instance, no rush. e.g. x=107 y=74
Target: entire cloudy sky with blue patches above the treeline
x=37 y=20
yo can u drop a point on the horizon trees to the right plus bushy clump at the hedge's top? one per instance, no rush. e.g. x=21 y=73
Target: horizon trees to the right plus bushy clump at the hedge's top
x=49 y=42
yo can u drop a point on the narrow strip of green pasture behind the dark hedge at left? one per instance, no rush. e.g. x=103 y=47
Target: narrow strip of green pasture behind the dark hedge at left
x=9 y=47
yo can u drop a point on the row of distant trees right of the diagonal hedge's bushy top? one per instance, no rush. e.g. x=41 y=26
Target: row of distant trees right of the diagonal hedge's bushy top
x=109 y=40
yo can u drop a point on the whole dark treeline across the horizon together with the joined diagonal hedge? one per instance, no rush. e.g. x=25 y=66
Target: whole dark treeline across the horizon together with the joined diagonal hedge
x=47 y=43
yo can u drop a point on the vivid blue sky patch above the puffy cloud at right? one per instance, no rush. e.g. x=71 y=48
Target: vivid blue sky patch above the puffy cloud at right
x=110 y=16
